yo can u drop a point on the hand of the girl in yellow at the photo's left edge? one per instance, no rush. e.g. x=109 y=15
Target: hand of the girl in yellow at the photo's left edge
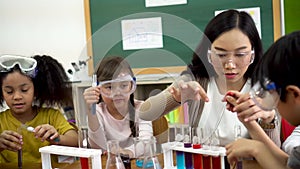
x=10 y=140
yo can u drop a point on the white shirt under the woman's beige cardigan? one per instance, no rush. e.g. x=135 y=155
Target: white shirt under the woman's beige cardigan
x=215 y=114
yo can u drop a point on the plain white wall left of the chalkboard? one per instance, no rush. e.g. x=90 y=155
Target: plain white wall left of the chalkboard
x=52 y=27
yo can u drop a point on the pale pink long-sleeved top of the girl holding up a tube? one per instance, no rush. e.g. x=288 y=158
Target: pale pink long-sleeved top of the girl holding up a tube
x=113 y=129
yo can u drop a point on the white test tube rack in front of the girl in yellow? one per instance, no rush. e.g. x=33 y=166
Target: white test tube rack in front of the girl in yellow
x=94 y=154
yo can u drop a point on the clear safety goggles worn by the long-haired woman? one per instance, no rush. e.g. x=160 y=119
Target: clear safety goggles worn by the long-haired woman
x=219 y=58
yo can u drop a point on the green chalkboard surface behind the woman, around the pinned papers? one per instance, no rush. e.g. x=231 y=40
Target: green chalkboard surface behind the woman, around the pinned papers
x=182 y=27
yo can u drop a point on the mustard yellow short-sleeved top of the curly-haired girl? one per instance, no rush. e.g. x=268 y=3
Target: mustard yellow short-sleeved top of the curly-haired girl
x=31 y=144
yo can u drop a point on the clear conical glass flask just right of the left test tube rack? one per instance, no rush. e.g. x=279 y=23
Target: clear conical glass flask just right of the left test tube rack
x=113 y=156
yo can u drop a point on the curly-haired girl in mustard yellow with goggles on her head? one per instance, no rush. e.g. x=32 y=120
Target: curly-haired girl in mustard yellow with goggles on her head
x=27 y=86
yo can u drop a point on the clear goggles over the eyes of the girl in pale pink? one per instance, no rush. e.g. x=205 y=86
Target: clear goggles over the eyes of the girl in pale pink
x=124 y=85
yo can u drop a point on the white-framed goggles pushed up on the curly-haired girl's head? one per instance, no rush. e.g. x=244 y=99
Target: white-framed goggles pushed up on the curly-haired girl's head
x=26 y=64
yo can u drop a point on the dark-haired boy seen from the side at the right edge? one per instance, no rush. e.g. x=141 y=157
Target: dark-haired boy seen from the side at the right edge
x=277 y=86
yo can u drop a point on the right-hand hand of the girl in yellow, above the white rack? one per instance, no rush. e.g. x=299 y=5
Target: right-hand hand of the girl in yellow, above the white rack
x=47 y=132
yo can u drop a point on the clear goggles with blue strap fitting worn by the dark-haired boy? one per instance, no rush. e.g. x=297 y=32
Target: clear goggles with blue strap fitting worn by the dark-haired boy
x=266 y=96
